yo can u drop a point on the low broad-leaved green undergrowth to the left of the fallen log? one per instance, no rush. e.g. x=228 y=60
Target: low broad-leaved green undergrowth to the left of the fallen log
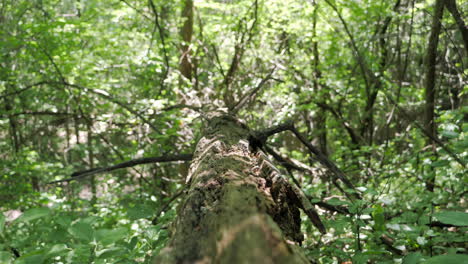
x=113 y=234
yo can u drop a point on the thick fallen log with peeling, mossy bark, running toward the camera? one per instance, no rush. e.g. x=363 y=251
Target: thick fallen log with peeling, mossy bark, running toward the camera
x=235 y=210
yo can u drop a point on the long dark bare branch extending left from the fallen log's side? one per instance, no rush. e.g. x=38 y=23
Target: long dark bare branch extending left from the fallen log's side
x=86 y=173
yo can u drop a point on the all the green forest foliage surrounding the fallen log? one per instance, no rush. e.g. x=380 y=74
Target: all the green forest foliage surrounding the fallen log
x=88 y=84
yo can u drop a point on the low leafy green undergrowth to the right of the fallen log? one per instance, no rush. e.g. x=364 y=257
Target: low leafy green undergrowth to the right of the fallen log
x=398 y=220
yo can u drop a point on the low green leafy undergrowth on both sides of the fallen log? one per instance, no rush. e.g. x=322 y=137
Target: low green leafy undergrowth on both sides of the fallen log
x=397 y=220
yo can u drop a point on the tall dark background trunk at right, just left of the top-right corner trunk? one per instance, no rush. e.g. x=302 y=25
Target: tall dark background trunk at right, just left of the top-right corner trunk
x=430 y=78
